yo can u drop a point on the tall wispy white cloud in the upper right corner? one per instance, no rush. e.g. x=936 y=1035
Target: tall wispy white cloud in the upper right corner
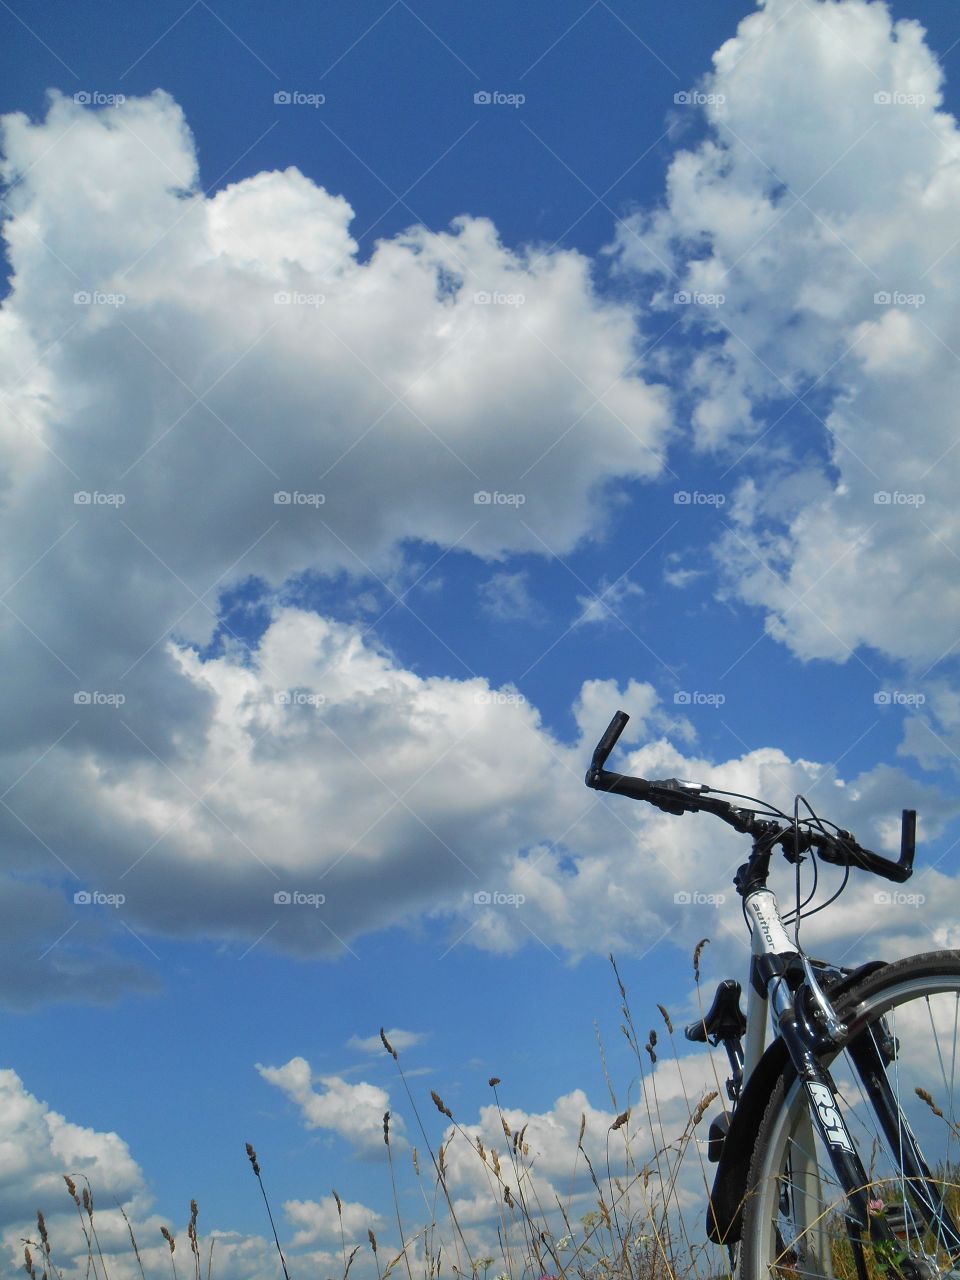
x=829 y=372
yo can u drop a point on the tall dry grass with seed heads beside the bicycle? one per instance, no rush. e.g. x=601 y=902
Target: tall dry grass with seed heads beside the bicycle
x=633 y=1195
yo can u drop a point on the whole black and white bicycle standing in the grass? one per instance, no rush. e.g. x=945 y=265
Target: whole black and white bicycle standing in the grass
x=824 y=1158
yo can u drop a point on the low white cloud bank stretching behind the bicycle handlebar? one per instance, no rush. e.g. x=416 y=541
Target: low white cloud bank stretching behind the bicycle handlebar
x=344 y=793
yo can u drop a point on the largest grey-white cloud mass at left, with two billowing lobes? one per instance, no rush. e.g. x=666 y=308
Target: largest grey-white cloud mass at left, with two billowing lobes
x=173 y=363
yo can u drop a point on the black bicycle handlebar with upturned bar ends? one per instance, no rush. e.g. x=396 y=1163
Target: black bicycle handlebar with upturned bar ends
x=674 y=797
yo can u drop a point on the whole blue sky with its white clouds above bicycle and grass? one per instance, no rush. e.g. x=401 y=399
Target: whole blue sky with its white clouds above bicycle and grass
x=464 y=656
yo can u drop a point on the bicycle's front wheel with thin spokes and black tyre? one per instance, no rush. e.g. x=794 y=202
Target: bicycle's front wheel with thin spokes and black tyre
x=904 y=1022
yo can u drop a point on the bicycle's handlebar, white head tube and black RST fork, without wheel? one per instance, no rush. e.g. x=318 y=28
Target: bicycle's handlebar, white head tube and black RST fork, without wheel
x=784 y=984
